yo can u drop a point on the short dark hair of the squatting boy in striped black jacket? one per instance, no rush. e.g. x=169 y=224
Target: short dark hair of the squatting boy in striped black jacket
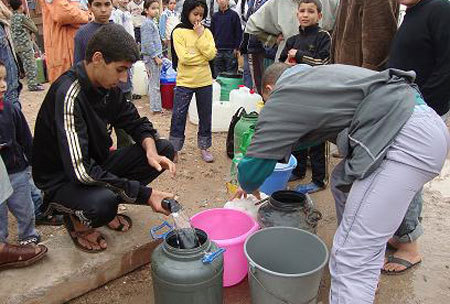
x=115 y=44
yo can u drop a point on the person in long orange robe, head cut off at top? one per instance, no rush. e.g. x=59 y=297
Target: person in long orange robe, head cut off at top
x=61 y=20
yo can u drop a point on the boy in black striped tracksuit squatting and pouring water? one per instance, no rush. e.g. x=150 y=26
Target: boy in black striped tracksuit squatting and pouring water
x=71 y=159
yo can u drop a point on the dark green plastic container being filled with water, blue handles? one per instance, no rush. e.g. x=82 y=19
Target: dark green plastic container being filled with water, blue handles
x=181 y=276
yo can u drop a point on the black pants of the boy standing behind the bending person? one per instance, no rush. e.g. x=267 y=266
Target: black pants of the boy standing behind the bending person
x=317 y=157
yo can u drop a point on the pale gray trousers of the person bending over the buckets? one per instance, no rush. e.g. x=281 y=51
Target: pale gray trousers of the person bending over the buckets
x=375 y=206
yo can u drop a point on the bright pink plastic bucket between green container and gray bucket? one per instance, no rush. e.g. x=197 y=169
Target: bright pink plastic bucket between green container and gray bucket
x=229 y=229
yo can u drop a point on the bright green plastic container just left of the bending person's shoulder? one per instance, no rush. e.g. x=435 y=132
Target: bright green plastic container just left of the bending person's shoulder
x=243 y=132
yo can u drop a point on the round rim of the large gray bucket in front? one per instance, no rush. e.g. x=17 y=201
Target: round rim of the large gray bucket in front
x=252 y=263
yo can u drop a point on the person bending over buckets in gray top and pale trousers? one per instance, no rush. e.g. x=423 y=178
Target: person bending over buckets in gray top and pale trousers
x=392 y=141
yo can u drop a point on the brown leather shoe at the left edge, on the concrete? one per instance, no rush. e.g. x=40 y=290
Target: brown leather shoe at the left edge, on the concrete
x=13 y=256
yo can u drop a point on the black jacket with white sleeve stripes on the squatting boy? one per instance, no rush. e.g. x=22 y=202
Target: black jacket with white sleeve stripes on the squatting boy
x=72 y=135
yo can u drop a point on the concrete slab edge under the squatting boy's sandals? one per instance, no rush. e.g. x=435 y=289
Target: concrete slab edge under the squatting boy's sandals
x=67 y=272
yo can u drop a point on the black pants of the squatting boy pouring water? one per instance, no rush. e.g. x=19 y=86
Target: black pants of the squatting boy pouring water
x=96 y=206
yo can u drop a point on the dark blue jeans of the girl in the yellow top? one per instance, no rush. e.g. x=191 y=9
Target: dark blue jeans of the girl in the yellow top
x=181 y=102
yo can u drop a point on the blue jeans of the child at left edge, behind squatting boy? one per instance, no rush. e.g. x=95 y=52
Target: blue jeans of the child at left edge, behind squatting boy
x=21 y=206
